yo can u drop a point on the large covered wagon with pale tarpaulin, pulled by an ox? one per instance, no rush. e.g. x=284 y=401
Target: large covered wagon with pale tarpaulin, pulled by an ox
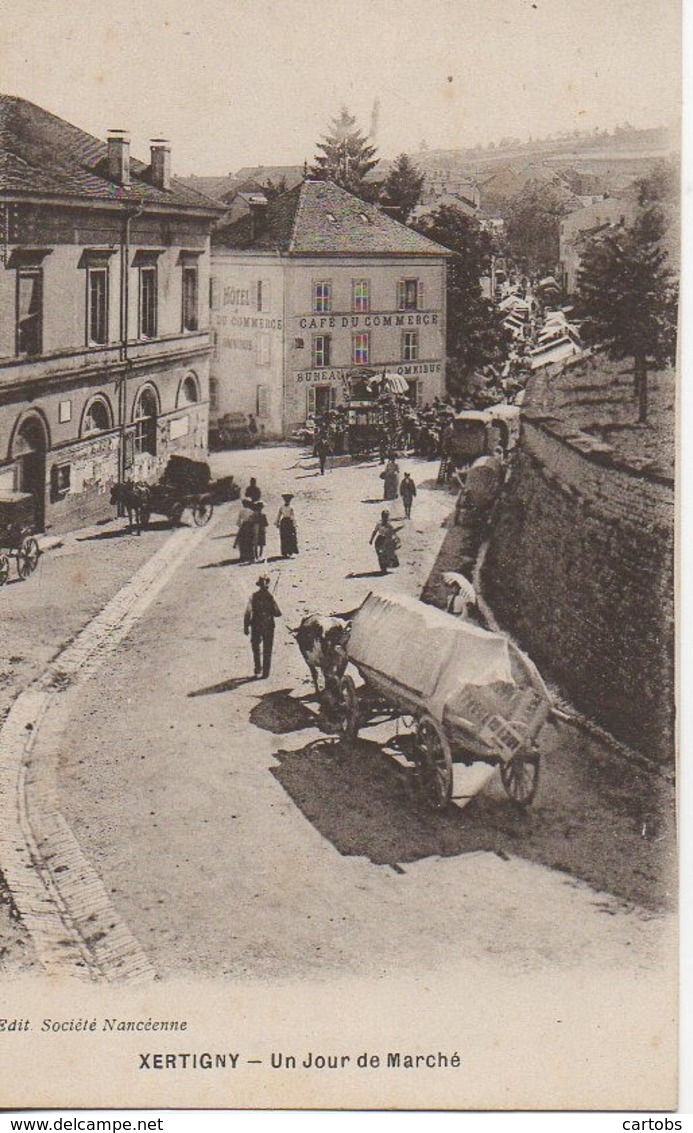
x=473 y=695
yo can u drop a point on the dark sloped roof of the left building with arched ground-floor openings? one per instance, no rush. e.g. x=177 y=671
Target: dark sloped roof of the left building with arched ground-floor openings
x=41 y=154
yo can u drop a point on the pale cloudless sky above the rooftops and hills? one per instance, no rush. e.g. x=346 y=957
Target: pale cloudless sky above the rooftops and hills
x=236 y=83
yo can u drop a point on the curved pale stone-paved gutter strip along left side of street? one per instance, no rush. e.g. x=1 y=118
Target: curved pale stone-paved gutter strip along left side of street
x=59 y=897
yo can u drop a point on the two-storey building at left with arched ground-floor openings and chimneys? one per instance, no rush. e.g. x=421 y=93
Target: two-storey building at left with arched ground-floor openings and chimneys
x=105 y=336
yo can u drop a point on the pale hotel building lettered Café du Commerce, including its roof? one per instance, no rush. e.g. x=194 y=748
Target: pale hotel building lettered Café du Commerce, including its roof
x=310 y=291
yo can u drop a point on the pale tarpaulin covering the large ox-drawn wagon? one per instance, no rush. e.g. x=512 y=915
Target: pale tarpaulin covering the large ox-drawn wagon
x=426 y=650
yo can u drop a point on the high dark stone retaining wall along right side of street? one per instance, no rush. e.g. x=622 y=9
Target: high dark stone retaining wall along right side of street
x=581 y=570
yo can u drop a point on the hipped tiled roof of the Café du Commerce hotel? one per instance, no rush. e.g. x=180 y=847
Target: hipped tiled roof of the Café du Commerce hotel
x=319 y=218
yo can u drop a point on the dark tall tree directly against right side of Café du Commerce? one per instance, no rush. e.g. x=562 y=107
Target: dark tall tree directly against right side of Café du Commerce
x=476 y=336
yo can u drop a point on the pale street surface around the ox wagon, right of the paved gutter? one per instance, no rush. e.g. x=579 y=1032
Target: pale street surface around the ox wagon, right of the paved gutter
x=236 y=838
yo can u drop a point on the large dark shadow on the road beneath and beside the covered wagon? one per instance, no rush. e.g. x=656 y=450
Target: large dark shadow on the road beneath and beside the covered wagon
x=363 y=799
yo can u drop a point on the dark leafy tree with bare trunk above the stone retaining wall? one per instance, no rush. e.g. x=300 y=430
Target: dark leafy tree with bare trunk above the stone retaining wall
x=629 y=300
